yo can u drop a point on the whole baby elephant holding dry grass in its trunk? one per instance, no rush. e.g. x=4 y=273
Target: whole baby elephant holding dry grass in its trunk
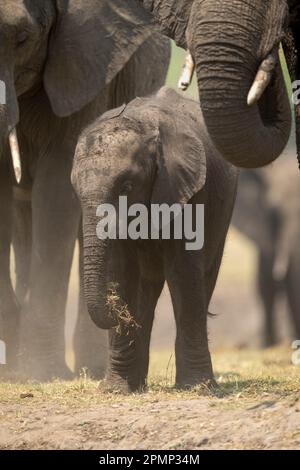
x=155 y=153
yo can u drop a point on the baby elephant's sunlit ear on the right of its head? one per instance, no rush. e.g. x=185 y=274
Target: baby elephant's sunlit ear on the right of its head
x=181 y=160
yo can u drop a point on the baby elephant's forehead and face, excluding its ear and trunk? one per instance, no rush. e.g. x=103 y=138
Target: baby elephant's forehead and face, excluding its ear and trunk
x=114 y=157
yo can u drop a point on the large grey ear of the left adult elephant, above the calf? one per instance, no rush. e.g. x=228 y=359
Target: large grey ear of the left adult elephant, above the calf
x=91 y=42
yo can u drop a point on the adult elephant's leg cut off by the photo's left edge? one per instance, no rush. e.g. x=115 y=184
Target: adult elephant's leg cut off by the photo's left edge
x=9 y=308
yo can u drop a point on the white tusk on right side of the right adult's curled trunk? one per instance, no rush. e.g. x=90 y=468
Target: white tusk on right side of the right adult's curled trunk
x=263 y=78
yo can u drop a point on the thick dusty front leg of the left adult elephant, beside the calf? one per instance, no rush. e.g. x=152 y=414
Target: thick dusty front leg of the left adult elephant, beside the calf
x=56 y=215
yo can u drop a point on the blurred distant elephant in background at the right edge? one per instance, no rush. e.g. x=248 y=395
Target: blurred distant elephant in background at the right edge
x=267 y=211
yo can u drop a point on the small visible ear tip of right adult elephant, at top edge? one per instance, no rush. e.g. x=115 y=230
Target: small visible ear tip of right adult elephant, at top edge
x=173 y=17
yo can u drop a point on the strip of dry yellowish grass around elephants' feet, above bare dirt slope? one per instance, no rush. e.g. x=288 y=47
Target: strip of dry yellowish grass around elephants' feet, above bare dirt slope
x=241 y=375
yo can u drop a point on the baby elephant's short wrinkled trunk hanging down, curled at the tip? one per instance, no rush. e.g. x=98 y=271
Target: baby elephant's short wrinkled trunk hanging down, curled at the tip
x=96 y=276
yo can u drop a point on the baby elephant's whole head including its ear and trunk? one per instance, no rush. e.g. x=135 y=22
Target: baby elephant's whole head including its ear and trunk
x=149 y=151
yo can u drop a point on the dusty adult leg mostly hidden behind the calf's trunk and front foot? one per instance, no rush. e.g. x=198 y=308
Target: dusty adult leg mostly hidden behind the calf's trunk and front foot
x=90 y=342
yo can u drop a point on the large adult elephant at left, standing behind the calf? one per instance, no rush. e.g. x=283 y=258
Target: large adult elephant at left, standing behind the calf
x=64 y=63
